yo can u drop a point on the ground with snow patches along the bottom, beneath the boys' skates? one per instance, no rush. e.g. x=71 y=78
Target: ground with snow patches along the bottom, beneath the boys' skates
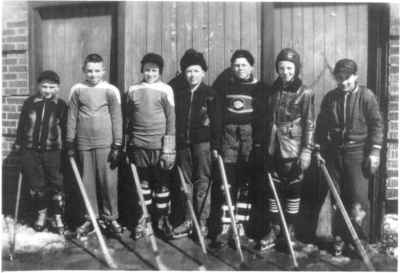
x=46 y=251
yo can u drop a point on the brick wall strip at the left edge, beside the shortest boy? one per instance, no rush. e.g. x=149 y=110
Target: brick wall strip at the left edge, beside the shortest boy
x=14 y=87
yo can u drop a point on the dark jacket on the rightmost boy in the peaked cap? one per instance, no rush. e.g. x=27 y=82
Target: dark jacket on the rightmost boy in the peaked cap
x=364 y=124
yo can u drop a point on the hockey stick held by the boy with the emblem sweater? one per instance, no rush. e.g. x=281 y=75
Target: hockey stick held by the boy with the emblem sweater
x=230 y=206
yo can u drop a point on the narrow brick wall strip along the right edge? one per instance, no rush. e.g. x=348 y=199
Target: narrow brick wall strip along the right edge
x=393 y=107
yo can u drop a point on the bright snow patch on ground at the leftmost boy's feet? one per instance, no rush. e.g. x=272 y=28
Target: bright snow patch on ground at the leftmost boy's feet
x=27 y=239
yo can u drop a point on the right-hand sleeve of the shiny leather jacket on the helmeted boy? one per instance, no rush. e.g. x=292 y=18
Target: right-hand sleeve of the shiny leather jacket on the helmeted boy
x=308 y=117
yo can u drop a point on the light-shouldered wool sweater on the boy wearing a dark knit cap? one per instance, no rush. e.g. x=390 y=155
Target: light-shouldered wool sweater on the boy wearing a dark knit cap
x=150 y=114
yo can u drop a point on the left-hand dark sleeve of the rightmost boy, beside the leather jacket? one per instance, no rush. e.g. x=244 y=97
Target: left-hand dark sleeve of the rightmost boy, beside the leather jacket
x=321 y=128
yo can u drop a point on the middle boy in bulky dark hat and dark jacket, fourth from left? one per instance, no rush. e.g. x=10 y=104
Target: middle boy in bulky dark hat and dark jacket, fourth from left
x=194 y=106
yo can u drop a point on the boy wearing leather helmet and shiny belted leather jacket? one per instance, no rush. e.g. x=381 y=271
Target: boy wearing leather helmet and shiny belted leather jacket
x=284 y=134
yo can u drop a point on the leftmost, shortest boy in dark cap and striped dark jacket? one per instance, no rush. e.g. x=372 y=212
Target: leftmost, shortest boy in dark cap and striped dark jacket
x=40 y=135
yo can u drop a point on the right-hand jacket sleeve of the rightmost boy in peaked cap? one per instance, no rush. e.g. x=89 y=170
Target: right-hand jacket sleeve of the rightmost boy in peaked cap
x=374 y=122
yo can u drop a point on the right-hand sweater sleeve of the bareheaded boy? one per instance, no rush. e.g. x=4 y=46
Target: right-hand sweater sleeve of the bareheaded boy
x=114 y=104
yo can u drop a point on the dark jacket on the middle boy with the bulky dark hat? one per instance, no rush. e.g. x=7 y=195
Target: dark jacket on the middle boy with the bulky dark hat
x=192 y=112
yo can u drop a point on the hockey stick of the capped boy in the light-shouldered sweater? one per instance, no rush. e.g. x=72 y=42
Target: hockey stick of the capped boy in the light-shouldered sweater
x=146 y=216
